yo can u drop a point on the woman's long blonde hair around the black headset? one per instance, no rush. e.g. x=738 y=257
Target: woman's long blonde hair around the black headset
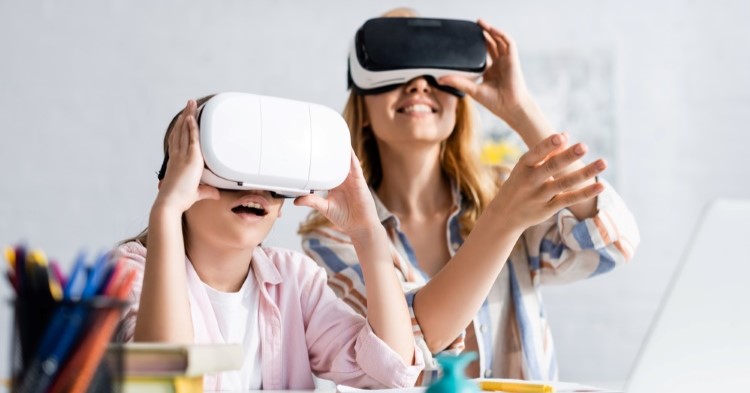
x=458 y=159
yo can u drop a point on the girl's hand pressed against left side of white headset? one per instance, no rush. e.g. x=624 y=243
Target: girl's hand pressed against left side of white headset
x=181 y=186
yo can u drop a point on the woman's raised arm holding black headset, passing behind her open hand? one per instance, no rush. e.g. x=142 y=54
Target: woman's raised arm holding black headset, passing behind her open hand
x=503 y=91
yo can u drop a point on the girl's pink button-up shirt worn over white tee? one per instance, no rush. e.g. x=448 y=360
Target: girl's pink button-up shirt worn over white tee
x=305 y=329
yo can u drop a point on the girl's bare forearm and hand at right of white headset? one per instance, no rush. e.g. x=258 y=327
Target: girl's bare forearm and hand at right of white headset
x=350 y=207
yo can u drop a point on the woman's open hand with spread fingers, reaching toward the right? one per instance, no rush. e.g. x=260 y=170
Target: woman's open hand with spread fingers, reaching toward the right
x=536 y=188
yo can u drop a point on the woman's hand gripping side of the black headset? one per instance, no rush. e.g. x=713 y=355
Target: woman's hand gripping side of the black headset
x=503 y=89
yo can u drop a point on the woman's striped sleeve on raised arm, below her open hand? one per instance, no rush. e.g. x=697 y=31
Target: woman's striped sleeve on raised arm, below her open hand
x=564 y=249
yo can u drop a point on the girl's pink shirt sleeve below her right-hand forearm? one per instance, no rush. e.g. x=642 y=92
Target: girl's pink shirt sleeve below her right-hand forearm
x=342 y=345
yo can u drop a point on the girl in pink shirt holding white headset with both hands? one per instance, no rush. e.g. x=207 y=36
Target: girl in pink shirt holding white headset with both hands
x=206 y=278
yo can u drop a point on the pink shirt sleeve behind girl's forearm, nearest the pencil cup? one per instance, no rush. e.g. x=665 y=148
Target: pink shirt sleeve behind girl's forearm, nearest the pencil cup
x=134 y=255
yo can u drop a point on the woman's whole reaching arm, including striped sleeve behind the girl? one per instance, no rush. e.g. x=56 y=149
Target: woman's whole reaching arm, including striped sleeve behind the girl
x=530 y=197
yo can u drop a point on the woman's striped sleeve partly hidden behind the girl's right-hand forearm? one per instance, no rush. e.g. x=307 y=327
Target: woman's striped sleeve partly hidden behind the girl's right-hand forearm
x=334 y=252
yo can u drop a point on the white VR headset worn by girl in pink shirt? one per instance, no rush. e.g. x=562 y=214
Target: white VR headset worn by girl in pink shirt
x=253 y=142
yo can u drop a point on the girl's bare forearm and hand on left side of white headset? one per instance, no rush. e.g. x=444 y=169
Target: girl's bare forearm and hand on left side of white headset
x=164 y=310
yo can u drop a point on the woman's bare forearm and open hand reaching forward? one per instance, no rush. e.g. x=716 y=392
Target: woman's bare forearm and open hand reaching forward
x=533 y=192
